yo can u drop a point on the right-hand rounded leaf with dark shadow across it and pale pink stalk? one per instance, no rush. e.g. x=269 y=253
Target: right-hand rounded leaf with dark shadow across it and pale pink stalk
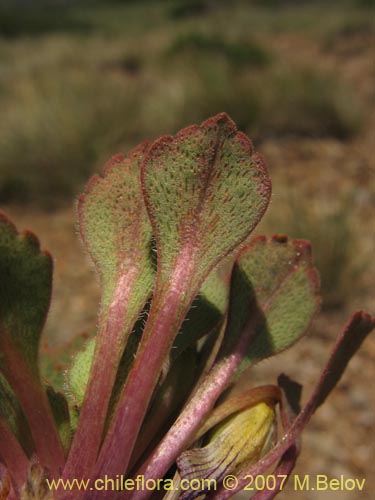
x=289 y=288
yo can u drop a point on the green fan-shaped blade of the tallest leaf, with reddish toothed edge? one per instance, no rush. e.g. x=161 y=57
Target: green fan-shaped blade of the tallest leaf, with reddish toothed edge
x=205 y=190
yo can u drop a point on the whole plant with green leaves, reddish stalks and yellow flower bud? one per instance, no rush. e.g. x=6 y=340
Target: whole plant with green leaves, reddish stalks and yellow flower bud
x=189 y=301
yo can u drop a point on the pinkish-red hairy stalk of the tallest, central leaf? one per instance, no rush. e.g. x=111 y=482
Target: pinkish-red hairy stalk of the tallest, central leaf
x=167 y=312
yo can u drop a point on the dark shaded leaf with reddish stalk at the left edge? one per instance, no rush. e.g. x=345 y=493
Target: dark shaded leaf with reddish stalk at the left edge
x=25 y=290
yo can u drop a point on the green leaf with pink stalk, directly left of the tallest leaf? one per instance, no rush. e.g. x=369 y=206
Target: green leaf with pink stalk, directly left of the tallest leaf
x=116 y=231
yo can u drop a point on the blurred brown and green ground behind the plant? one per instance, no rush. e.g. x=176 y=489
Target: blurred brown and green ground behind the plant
x=83 y=80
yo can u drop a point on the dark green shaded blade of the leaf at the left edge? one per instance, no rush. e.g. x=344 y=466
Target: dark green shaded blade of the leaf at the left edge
x=25 y=291
